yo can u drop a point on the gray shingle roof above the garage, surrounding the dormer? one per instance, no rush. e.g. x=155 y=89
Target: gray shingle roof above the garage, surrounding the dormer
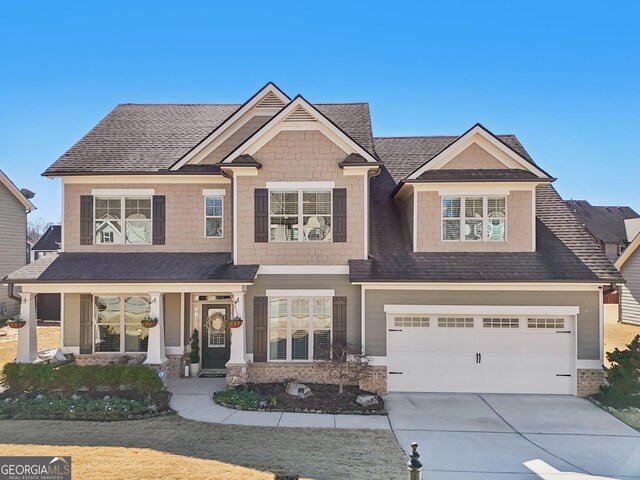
x=564 y=250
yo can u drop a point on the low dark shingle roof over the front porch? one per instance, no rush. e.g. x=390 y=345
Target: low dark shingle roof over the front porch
x=134 y=267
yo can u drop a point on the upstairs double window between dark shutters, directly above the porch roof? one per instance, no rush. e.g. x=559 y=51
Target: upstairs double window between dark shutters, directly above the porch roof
x=121 y=220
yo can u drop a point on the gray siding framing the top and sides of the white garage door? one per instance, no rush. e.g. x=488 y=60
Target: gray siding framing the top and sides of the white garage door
x=588 y=318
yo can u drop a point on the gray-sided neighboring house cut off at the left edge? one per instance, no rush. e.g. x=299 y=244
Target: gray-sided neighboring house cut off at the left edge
x=14 y=206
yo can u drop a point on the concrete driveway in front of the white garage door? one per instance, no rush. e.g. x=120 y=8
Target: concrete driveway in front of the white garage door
x=482 y=437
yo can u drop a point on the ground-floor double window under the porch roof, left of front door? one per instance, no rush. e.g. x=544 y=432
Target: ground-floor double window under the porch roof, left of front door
x=118 y=327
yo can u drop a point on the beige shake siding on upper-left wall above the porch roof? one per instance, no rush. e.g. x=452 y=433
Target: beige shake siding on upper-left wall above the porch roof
x=184 y=205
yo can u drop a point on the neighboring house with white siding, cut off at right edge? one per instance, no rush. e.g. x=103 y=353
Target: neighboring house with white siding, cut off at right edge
x=629 y=266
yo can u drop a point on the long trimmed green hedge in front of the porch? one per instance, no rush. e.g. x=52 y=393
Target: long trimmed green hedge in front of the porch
x=26 y=377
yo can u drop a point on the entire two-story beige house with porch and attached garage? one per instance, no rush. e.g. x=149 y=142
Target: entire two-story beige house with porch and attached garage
x=450 y=260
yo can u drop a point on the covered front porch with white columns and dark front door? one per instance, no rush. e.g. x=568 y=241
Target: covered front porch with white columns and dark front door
x=153 y=323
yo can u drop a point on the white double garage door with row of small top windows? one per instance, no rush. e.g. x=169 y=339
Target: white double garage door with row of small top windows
x=489 y=354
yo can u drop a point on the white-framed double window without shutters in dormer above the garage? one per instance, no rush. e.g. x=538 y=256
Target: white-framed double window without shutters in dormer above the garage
x=474 y=219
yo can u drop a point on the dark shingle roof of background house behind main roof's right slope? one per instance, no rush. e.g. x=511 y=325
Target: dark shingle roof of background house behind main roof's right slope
x=605 y=223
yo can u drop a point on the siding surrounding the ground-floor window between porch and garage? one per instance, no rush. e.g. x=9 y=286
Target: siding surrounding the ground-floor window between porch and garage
x=339 y=283
